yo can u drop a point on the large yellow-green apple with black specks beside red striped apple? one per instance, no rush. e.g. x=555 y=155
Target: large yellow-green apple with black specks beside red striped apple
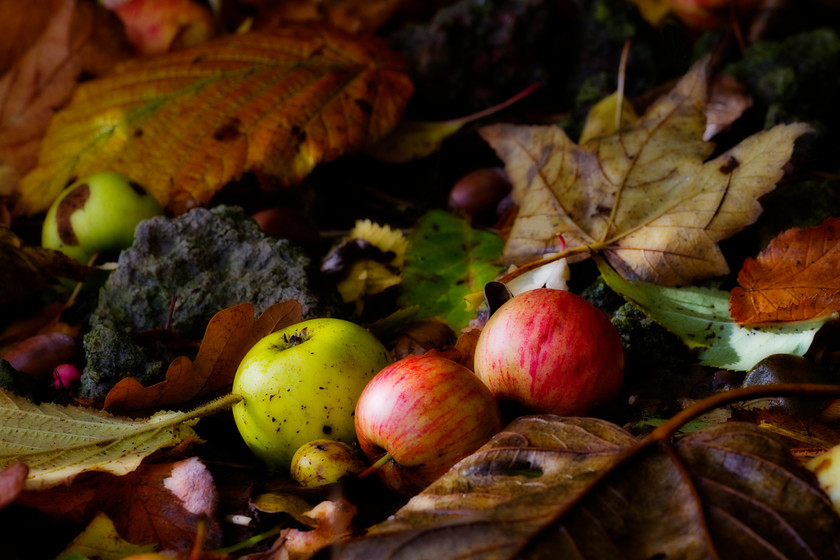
x=301 y=383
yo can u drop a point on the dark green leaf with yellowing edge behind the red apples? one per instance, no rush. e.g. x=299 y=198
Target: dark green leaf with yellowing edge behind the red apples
x=447 y=260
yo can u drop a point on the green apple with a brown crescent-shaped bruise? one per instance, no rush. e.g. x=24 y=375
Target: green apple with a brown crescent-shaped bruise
x=97 y=214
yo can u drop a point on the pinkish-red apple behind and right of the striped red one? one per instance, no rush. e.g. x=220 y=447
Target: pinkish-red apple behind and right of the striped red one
x=552 y=352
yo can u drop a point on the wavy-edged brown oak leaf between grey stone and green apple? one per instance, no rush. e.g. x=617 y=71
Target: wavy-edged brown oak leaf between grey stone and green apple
x=229 y=336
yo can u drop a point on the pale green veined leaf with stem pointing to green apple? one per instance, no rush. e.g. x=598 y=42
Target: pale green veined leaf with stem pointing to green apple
x=58 y=442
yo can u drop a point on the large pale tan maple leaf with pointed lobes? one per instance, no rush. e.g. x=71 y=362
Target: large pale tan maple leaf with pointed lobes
x=644 y=195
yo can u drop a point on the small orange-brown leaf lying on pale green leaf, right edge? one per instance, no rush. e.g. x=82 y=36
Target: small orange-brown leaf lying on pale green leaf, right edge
x=793 y=279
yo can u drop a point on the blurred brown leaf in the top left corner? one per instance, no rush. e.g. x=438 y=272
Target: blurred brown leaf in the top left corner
x=81 y=41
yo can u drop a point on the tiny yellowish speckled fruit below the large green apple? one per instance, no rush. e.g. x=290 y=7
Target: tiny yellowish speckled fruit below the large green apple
x=325 y=461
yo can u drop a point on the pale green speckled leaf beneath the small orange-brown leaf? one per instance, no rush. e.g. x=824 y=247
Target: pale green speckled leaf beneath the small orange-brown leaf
x=700 y=317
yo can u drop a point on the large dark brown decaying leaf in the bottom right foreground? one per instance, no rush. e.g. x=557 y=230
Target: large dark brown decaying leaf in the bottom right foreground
x=552 y=487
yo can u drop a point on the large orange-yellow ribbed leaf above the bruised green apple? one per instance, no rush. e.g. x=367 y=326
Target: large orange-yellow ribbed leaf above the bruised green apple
x=183 y=124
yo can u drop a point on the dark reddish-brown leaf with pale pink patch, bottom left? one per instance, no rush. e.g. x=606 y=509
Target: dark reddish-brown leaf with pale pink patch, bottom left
x=158 y=504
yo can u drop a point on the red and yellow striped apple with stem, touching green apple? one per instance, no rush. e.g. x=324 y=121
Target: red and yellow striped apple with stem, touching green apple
x=419 y=416
